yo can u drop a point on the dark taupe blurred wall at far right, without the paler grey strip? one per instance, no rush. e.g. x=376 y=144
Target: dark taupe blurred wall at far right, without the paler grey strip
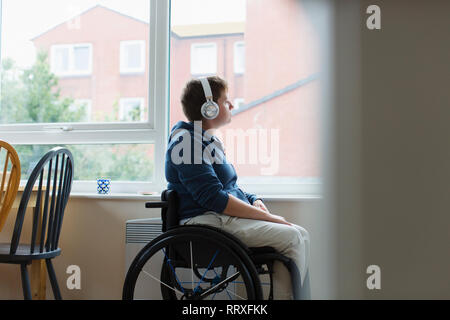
x=405 y=149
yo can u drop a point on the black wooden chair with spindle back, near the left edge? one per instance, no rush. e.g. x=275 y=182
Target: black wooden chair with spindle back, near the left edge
x=54 y=175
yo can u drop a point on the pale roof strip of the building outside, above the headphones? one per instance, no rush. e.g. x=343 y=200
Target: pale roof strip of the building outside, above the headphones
x=201 y=30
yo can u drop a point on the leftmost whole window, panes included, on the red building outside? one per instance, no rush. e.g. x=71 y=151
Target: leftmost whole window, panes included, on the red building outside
x=72 y=59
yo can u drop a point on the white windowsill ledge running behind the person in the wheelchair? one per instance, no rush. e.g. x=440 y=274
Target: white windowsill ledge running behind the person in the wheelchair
x=156 y=197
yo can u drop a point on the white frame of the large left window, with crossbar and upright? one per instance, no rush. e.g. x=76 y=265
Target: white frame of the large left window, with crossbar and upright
x=153 y=131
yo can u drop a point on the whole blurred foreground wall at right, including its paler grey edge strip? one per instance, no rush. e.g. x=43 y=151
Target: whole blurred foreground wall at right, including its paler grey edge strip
x=390 y=140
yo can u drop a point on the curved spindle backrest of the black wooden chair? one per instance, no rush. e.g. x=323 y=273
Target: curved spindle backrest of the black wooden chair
x=56 y=168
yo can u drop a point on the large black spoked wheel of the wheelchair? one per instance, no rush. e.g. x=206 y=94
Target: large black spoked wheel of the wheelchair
x=194 y=264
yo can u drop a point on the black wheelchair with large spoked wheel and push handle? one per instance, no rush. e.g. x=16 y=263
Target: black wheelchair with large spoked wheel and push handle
x=199 y=262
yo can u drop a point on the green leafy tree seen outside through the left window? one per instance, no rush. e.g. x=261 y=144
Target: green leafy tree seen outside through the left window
x=33 y=96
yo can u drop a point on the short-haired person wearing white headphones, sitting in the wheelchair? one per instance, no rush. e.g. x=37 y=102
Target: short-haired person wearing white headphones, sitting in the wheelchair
x=196 y=167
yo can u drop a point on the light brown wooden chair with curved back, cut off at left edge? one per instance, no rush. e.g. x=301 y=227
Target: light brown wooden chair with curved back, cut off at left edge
x=10 y=180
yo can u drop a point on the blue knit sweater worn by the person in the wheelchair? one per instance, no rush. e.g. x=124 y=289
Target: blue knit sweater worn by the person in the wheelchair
x=203 y=183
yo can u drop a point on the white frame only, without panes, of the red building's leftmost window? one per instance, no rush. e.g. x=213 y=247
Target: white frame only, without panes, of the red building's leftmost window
x=72 y=72
